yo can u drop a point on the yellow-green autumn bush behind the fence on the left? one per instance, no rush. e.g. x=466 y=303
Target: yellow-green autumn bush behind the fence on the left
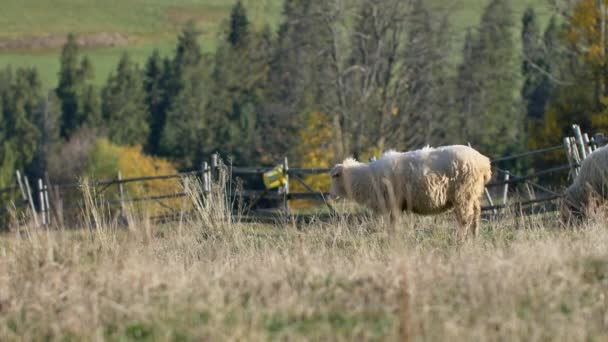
x=107 y=159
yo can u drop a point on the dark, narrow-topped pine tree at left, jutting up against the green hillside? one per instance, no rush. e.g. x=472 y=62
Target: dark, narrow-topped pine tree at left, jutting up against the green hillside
x=78 y=103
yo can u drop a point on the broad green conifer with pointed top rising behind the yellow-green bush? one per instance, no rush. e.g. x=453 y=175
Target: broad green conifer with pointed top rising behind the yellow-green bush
x=124 y=108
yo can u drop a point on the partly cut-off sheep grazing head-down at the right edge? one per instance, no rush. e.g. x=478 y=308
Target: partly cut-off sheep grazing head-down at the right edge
x=588 y=189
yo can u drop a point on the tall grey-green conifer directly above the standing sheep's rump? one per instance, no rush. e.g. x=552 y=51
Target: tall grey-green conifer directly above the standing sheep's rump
x=486 y=89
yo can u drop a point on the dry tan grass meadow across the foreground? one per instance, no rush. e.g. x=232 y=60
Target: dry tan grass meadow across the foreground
x=213 y=279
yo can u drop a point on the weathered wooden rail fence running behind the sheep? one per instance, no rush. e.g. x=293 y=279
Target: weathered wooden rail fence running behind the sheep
x=576 y=149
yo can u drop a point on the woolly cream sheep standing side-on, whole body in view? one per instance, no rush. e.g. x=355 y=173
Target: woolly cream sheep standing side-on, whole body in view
x=428 y=181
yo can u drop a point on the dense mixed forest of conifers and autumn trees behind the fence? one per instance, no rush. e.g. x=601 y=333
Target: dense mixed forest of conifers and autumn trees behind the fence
x=335 y=79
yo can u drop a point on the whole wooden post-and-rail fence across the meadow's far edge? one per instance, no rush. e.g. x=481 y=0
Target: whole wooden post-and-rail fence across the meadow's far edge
x=45 y=206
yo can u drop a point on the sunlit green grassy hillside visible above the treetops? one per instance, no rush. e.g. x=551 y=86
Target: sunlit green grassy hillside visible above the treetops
x=149 y=24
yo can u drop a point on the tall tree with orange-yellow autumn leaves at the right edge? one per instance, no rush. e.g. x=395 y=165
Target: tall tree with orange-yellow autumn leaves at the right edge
x=585 y=102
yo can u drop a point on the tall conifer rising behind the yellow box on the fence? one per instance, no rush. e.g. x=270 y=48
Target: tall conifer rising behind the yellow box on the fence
x=298 y=74
